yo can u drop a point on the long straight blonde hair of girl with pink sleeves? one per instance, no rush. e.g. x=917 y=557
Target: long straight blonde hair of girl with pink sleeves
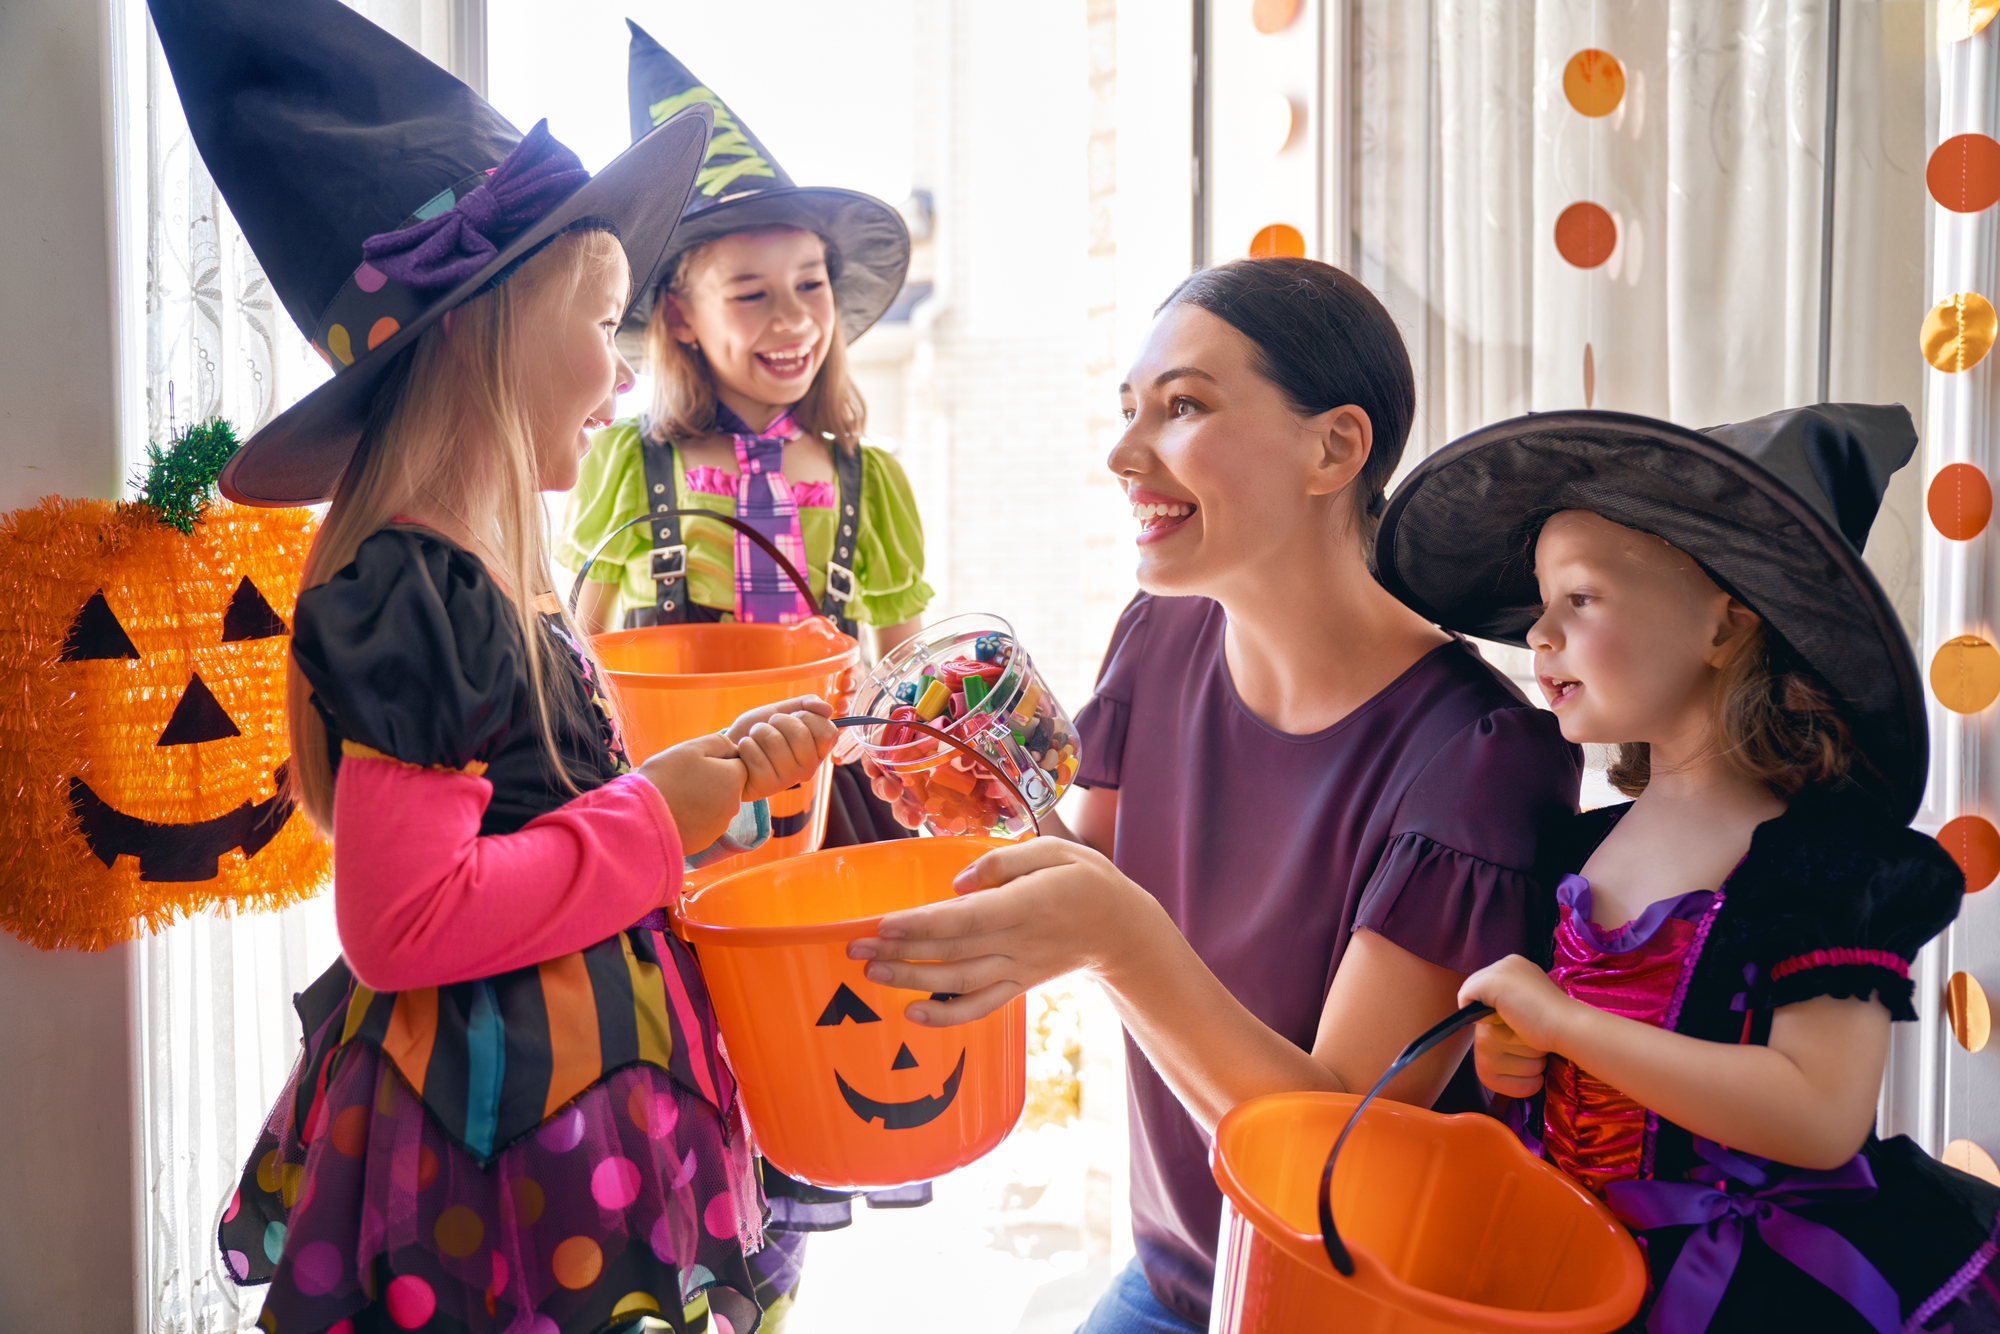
x=453 y=429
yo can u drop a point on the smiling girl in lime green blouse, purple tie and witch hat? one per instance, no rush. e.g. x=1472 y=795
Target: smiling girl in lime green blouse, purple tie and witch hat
x=755 y=417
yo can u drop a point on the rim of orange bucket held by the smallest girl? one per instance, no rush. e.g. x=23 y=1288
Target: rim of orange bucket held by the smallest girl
x=1309 y=1251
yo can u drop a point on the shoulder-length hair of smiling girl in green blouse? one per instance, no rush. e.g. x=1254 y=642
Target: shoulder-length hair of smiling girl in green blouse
x=685 y=387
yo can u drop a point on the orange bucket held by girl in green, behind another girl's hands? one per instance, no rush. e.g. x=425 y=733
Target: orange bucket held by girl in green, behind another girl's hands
x=677 y=683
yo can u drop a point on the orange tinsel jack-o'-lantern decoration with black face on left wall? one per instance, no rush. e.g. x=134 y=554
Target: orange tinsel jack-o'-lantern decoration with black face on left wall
x=143 y=719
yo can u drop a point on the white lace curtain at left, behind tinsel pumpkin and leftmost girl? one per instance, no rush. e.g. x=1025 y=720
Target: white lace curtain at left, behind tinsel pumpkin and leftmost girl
x=215 y=1031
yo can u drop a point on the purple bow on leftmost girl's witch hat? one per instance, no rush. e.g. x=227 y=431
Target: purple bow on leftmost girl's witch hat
x=451 y=247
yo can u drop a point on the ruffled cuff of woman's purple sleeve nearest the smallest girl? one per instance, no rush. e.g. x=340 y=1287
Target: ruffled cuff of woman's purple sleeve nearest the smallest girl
x=1451 y=907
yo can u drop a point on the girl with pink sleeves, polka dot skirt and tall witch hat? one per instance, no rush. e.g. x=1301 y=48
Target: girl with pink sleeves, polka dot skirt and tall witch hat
x=511 y=1111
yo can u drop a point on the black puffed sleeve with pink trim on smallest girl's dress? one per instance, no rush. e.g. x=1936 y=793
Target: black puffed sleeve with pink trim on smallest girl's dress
x=1837 y=903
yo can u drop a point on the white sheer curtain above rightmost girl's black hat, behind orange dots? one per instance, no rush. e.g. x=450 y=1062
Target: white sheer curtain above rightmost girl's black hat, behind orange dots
x=1709 y=307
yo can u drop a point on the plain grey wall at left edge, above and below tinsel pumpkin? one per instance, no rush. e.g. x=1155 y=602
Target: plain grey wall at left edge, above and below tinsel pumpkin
x=67 y=1185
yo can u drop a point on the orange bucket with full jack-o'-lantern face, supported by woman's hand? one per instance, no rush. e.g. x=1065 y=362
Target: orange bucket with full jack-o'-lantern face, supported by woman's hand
x=839 y=1087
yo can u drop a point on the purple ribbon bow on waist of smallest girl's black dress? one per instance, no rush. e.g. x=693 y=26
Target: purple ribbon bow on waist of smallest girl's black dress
x=1735 y=1195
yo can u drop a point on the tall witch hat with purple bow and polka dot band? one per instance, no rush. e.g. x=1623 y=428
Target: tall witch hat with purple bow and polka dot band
x=379 y=193
